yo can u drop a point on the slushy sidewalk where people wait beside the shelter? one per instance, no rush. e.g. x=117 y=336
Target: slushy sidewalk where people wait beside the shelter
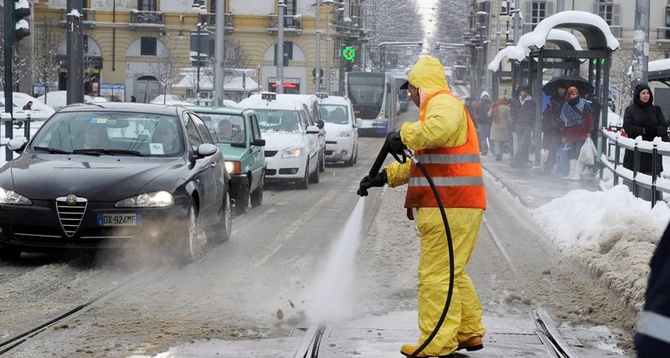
x=531 y=186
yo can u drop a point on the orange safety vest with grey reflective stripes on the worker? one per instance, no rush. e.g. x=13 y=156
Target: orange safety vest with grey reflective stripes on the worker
x=456 y=171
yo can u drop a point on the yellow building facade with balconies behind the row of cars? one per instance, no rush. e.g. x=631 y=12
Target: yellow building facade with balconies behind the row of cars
x=125 y=41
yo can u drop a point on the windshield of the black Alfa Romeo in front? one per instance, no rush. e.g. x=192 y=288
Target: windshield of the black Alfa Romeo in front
x=110 y=133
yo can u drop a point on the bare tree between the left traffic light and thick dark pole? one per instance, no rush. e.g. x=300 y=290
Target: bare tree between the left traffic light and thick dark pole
x=45 y=63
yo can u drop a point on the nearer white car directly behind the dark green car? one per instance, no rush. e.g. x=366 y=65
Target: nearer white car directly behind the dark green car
x=291 y=142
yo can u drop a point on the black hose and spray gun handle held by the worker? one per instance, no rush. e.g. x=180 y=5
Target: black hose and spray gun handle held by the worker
x=374 y=170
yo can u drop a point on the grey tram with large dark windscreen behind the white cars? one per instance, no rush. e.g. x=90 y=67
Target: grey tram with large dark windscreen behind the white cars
x=374 y=98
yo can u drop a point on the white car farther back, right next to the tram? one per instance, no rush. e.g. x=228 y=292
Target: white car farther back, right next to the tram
x=341 y=129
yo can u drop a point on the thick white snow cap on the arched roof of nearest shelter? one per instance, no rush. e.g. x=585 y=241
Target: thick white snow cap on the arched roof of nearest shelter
x=594 y=28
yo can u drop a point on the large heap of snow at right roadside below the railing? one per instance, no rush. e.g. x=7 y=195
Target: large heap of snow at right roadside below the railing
x=612 y=233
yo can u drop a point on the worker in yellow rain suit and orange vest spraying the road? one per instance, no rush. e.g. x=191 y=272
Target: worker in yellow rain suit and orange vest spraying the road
x=444 y=140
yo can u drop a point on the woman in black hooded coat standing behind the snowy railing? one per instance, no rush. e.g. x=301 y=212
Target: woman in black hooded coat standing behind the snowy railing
x=643 y=118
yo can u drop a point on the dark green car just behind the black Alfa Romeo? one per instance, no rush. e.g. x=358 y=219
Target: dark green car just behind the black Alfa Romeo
x=237 y=133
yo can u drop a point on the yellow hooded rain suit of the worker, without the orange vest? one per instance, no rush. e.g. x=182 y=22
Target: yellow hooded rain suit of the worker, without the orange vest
x=445 y=126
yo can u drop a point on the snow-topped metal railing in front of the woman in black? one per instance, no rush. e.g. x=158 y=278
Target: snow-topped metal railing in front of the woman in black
x=611 y=160
